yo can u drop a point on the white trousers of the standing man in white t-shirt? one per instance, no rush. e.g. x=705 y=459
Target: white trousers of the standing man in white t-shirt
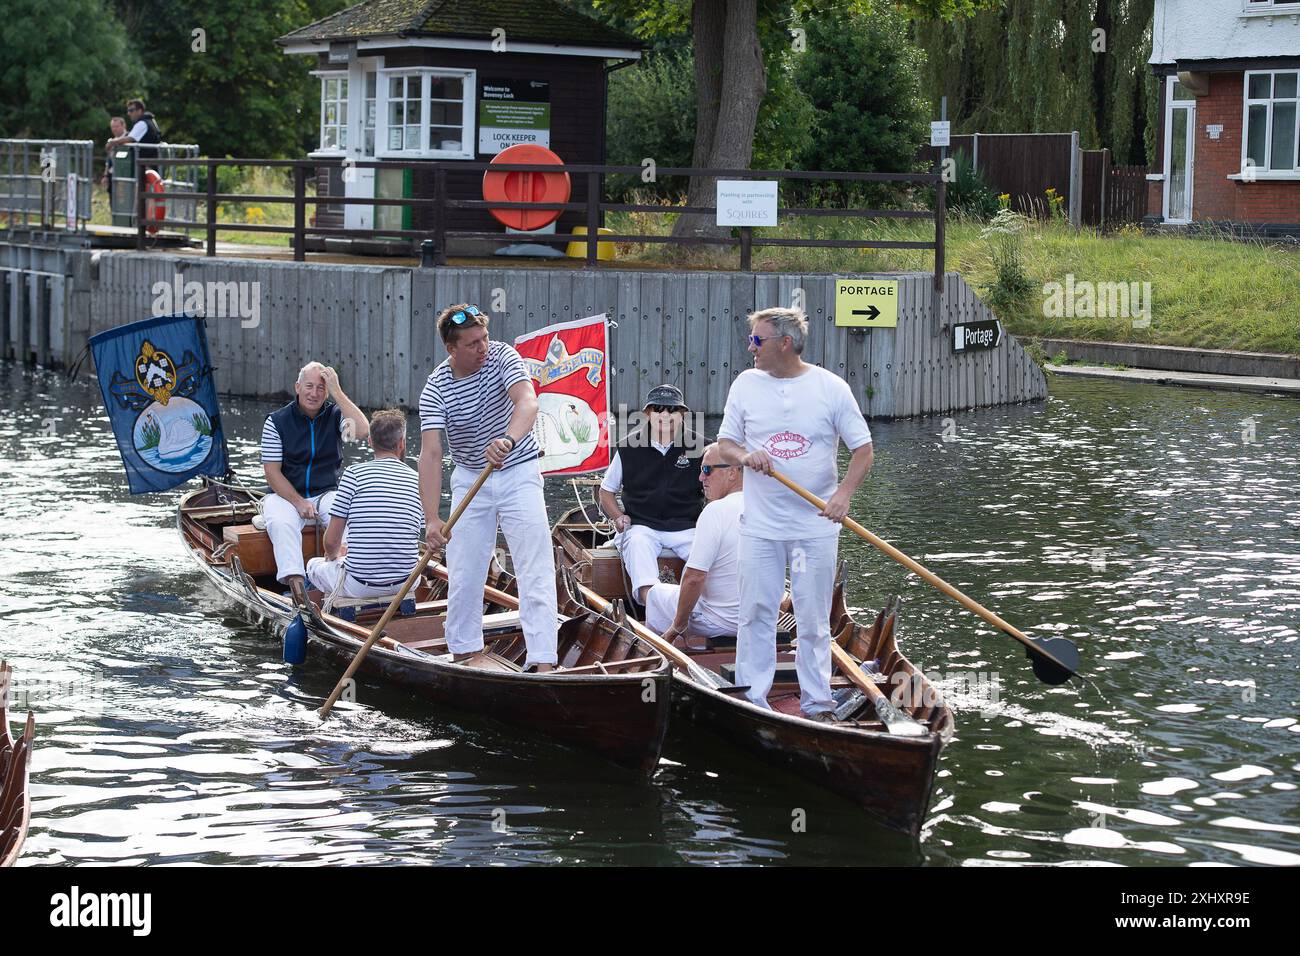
x=762 y=585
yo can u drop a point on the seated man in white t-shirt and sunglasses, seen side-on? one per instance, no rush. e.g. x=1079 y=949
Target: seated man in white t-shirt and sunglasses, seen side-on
x=707 y=604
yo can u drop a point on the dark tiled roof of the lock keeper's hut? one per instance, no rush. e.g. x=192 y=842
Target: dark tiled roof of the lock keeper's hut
x=526 y=21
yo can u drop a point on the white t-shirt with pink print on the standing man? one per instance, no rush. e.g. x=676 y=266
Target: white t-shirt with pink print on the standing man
x=800 y=423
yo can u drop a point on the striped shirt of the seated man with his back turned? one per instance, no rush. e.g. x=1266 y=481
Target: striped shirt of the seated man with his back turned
x=385 y=520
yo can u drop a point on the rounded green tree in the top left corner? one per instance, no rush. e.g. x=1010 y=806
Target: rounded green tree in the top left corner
x=64 y=68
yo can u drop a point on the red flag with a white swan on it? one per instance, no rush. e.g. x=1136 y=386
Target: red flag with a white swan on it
x=570 y=369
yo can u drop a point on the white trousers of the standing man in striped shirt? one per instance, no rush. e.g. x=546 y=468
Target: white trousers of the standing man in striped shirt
x=514 y=501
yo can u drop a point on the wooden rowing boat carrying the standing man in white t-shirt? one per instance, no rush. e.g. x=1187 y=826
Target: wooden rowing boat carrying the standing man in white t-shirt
x=891 y=777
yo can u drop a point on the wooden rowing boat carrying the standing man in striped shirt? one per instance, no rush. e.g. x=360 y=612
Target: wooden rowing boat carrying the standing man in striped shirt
x=610 y=695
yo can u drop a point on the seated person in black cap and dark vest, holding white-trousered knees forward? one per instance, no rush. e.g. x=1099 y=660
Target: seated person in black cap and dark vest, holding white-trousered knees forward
x=658 y=471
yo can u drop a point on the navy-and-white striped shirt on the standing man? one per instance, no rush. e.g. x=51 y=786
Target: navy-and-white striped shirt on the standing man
x=476 y=410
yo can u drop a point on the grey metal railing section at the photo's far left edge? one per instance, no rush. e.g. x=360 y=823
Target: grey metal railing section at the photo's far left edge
x=38 y=178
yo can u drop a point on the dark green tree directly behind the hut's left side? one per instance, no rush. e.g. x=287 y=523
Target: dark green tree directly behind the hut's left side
x=216 y=76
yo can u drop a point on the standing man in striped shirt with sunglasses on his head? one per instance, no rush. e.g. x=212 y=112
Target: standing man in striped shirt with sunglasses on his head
x=483 y=397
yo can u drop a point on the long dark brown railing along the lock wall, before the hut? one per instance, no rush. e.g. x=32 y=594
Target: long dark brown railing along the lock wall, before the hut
x=593 y=206
